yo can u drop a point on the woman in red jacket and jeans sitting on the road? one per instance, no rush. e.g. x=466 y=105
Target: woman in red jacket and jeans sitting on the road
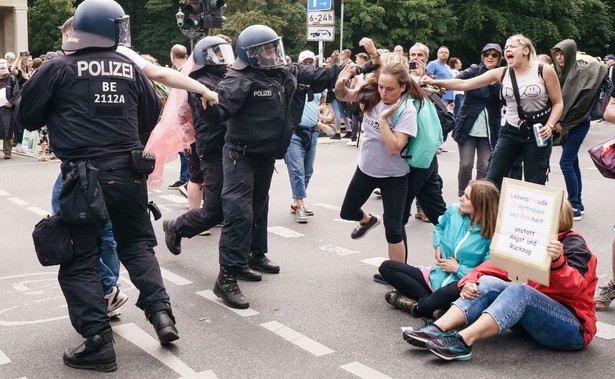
x=560 y=316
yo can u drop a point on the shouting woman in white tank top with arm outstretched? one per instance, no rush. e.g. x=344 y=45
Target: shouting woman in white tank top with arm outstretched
x=515 y=139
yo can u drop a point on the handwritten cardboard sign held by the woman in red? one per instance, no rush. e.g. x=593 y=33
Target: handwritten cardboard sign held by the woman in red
x=528 y=218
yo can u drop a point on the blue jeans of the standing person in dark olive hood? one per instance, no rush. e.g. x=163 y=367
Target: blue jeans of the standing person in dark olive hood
x=569 y=163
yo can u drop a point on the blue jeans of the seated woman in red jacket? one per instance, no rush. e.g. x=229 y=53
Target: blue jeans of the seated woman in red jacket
x=548 y=322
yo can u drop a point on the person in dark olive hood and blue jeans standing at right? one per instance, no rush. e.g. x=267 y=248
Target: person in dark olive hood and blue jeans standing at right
x=580 y=81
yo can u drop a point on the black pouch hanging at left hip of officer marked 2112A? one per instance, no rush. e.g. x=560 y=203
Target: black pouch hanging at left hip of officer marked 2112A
x=52 y=241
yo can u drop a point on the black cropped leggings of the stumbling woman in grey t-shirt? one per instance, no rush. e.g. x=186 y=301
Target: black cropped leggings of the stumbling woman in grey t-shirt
x=393 y=190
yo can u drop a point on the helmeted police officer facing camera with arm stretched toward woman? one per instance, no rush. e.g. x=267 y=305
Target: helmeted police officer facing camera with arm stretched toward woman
x=263 y=101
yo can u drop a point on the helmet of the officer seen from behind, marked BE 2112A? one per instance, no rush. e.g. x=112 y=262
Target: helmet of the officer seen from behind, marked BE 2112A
x=98 y=23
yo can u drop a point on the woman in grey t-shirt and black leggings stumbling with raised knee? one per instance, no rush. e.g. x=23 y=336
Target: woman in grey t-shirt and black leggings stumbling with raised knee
x=380 y=164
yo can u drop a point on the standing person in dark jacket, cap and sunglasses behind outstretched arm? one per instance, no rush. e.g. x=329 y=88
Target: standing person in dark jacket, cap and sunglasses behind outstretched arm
x=478 y=120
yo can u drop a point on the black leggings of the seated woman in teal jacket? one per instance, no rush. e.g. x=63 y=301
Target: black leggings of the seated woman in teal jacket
x=409 y=281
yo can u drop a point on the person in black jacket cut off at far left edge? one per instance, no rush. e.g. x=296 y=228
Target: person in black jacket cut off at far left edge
x=9 y=91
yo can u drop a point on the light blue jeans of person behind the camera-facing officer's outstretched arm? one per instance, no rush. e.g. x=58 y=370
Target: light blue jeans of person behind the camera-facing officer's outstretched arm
x=300 y=164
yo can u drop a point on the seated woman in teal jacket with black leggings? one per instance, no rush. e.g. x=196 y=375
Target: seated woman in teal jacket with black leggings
x=461 y=241
